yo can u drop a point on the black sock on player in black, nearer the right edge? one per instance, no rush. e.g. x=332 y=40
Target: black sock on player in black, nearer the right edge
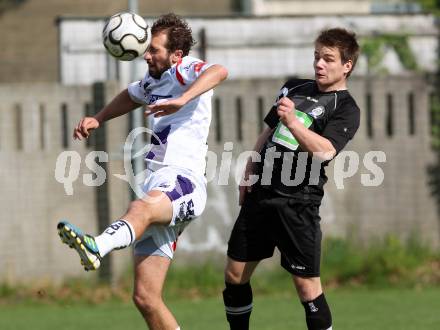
x=318 y=315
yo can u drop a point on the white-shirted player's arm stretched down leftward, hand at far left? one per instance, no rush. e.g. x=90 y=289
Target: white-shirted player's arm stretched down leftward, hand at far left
x=120 y=105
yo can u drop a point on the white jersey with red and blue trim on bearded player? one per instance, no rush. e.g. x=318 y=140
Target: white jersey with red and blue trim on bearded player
x=179 y=139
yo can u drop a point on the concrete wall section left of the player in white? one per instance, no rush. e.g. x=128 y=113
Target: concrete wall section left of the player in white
x=31 y=138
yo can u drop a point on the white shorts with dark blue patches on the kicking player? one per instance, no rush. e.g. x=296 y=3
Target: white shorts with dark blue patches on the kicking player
x=187 y=192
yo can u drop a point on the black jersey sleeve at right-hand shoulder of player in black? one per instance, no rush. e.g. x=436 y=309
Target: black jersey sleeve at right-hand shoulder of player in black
x=342 y=125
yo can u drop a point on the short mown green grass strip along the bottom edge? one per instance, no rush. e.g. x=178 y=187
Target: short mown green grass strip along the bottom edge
x=352 y=309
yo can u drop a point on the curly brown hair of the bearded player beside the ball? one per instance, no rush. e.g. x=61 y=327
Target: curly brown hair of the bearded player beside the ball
x=178 y=32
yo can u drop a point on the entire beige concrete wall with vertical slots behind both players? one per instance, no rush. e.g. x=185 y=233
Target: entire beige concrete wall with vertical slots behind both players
x=31 y=140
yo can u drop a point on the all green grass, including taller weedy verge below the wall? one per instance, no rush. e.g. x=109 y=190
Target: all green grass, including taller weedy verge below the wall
x=387 y=285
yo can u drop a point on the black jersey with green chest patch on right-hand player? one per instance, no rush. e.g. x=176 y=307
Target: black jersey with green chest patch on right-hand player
x=333 y=115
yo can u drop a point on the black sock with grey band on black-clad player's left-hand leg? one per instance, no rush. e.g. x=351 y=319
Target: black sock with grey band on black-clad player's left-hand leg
x=238 y=305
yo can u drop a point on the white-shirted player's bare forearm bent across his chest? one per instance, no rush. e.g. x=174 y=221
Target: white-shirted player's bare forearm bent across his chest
x=210 y=78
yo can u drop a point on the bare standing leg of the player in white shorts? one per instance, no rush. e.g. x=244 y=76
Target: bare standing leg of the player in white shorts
x=150 y=273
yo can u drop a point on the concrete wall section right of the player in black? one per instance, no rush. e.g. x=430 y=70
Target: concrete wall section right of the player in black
x=402 y=204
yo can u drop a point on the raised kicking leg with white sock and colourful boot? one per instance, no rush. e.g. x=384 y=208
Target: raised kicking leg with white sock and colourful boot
x=155 y=207
